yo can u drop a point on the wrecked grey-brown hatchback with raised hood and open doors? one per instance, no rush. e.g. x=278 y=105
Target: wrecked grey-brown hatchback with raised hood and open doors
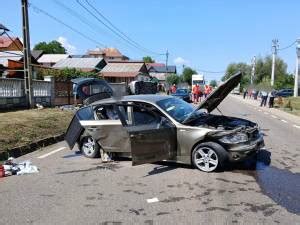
x=151 y=128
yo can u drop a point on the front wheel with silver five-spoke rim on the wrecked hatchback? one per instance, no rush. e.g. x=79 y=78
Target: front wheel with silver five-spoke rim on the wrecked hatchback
x=209 y=156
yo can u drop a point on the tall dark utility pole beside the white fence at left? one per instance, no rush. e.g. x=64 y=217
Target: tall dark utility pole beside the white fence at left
x=27 y=55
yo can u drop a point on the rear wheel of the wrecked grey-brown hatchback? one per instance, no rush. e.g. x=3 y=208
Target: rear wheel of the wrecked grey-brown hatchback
x=89 y=147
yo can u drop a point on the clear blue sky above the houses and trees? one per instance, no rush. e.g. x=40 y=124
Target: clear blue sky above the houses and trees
x=203 y=34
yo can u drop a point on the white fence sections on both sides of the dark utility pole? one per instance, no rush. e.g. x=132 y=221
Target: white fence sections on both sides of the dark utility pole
x=15 y=88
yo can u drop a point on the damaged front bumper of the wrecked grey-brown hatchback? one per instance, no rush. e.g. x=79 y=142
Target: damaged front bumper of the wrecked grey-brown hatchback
x=241 y=152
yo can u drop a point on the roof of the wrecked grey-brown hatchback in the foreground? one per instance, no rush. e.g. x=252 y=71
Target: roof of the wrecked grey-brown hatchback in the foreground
x=139 y=98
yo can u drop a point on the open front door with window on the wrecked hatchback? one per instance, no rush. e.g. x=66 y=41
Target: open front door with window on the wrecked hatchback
x=152 y=137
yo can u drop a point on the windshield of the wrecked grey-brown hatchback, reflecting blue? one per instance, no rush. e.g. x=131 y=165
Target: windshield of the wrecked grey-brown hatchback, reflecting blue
x=176 y=108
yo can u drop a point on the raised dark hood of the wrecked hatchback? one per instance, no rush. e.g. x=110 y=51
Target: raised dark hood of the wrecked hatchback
x=217 y=96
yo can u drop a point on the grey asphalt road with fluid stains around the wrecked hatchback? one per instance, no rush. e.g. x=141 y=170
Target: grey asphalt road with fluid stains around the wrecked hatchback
x=71 y=189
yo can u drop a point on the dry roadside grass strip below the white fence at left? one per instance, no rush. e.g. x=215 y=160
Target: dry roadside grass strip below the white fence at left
x=23 y=127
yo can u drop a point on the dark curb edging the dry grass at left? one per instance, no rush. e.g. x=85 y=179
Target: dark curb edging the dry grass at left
x=25 y=149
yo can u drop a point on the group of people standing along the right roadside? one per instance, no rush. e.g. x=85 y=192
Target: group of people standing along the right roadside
x=264 y=95
